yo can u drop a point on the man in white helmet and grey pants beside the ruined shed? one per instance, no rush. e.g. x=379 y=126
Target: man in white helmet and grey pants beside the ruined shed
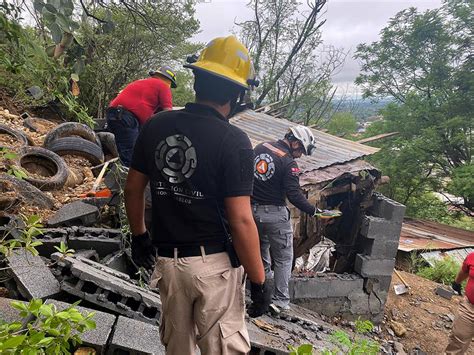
x=276 y=177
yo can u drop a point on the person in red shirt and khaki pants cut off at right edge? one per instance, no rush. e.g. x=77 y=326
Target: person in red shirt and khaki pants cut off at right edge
x=463 y=326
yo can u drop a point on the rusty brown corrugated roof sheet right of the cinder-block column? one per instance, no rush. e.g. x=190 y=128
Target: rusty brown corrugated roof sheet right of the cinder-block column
x=429 y=235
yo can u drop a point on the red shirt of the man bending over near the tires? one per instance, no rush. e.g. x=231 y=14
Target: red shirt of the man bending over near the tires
x=144 y=97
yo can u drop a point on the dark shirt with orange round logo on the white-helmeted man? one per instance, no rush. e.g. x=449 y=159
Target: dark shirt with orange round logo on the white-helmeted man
x=277 y=176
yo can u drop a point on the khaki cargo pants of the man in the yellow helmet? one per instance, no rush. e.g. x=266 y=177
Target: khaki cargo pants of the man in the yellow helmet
x=203 y=304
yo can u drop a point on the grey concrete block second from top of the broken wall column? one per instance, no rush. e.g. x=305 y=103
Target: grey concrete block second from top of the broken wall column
x=380 y=228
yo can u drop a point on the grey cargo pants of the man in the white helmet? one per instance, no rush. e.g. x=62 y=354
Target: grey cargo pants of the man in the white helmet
x=276 y=246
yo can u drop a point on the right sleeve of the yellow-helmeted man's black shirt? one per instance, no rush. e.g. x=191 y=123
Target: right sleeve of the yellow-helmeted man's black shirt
x=237 y=165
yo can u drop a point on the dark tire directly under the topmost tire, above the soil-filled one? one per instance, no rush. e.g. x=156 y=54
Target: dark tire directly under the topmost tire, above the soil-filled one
x=79 y=147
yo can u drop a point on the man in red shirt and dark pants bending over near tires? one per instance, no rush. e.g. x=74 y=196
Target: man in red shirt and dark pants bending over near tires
x=135 y=104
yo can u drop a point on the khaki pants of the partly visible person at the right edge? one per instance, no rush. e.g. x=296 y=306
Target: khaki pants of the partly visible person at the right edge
x=463 y=329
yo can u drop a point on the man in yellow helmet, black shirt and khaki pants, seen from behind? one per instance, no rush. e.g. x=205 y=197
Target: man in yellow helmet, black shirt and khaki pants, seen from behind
x=200 y=169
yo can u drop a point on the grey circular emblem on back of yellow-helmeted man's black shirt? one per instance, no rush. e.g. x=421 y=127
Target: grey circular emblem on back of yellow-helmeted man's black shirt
x=176 y=158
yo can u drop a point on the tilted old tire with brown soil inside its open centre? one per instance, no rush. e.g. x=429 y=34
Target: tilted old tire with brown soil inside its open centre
x=51 y=170
